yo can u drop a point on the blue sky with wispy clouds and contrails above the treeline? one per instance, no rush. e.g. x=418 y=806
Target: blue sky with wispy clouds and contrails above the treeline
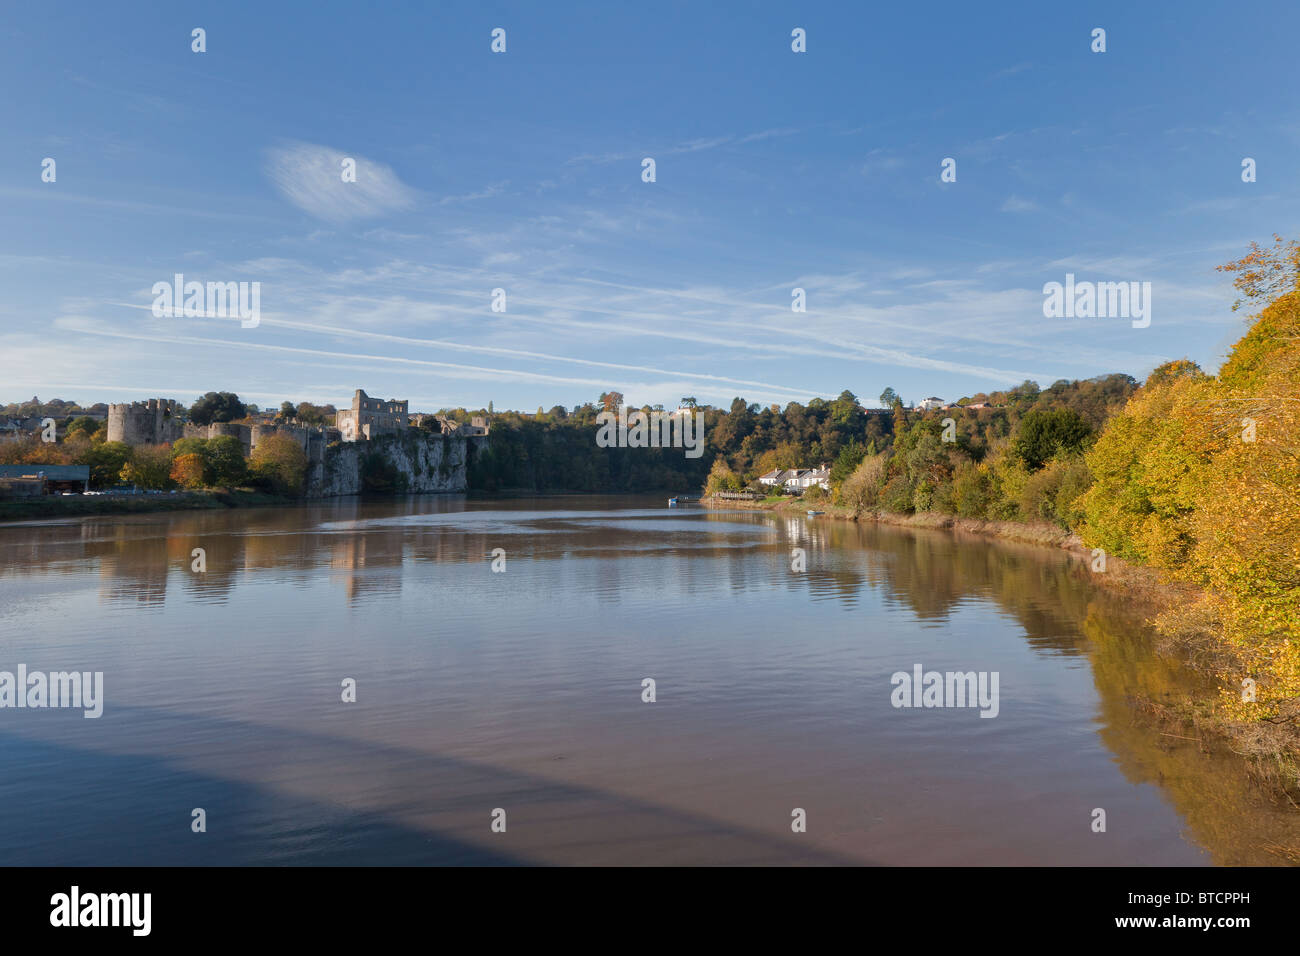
x=523 y=171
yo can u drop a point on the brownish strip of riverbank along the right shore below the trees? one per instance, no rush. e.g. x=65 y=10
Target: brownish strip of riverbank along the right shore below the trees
x=1272 y=747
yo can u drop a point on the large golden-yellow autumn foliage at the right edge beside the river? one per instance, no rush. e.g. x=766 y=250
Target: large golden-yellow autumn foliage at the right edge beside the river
x=1201 y=477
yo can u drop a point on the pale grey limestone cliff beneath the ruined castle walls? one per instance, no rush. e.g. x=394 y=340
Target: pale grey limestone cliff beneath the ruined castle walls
x=413 y=462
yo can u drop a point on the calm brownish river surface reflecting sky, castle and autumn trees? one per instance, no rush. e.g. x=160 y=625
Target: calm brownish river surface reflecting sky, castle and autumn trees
x=523 y=691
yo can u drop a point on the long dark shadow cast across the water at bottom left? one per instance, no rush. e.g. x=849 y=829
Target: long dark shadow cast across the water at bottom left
x=370 y=806
